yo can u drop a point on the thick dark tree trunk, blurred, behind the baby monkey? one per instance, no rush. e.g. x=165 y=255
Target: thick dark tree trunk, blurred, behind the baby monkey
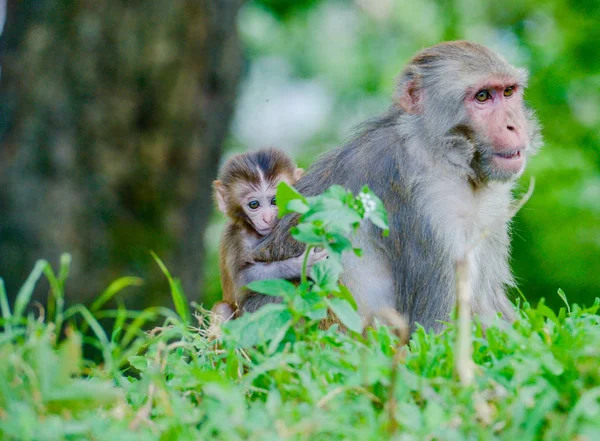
x=113 y=115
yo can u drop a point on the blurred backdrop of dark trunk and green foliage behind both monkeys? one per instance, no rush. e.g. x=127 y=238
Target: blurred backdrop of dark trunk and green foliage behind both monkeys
x=150 y=90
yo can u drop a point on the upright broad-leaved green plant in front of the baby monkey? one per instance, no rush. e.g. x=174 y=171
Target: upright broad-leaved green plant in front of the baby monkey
x=325 y=221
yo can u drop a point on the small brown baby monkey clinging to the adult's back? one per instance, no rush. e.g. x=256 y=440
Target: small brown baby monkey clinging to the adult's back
x=245 y=193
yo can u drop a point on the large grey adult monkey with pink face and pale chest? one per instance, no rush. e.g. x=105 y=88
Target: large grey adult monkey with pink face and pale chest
x=444 y=160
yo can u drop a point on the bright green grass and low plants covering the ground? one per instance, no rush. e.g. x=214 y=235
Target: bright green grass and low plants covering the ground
x=536 y=379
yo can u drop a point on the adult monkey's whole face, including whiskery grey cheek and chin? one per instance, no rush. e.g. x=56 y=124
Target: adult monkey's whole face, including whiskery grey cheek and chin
x=502 y=129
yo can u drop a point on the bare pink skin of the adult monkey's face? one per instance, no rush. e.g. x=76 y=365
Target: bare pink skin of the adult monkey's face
x=496 y=109
